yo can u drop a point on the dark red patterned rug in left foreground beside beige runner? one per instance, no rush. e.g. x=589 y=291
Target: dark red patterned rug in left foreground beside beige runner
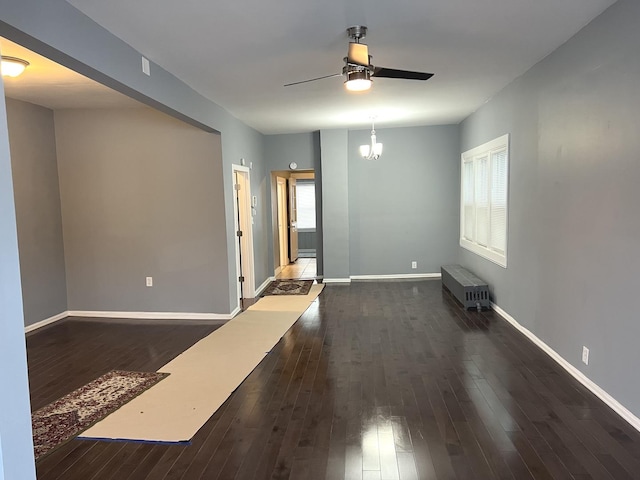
x=65 y=418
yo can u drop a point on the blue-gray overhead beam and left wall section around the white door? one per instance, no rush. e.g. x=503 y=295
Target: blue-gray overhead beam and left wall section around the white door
x=64 y=34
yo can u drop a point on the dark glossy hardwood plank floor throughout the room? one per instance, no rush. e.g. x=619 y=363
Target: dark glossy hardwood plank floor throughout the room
x=375 y=381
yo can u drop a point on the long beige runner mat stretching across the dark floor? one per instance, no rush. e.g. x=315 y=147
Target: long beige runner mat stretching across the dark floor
x=204 y=376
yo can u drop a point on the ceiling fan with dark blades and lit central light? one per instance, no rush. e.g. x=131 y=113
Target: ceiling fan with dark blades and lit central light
x=358 y=69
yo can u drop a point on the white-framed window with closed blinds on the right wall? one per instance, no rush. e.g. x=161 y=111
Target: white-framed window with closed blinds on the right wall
x=483 y=202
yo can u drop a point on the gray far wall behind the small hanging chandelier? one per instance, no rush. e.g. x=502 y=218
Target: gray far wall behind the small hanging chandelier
x=403 y=207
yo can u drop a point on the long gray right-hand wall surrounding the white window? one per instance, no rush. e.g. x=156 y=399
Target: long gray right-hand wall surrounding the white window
x=572 y=273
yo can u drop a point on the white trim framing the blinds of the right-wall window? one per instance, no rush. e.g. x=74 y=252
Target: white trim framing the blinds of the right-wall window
x=485 y=150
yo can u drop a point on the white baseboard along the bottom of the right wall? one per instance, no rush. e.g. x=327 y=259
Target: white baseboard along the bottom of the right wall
x=616 y=406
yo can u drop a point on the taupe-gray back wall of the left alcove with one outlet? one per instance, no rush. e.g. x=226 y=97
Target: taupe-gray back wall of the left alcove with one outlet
x=141 y=195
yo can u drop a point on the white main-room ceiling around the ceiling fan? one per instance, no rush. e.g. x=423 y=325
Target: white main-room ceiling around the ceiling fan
x=240 y=54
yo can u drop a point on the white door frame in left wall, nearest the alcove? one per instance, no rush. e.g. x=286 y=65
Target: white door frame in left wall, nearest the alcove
x=245 y=215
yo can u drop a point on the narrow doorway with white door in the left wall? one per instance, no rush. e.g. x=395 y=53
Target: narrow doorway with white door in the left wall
x=243 y=220
